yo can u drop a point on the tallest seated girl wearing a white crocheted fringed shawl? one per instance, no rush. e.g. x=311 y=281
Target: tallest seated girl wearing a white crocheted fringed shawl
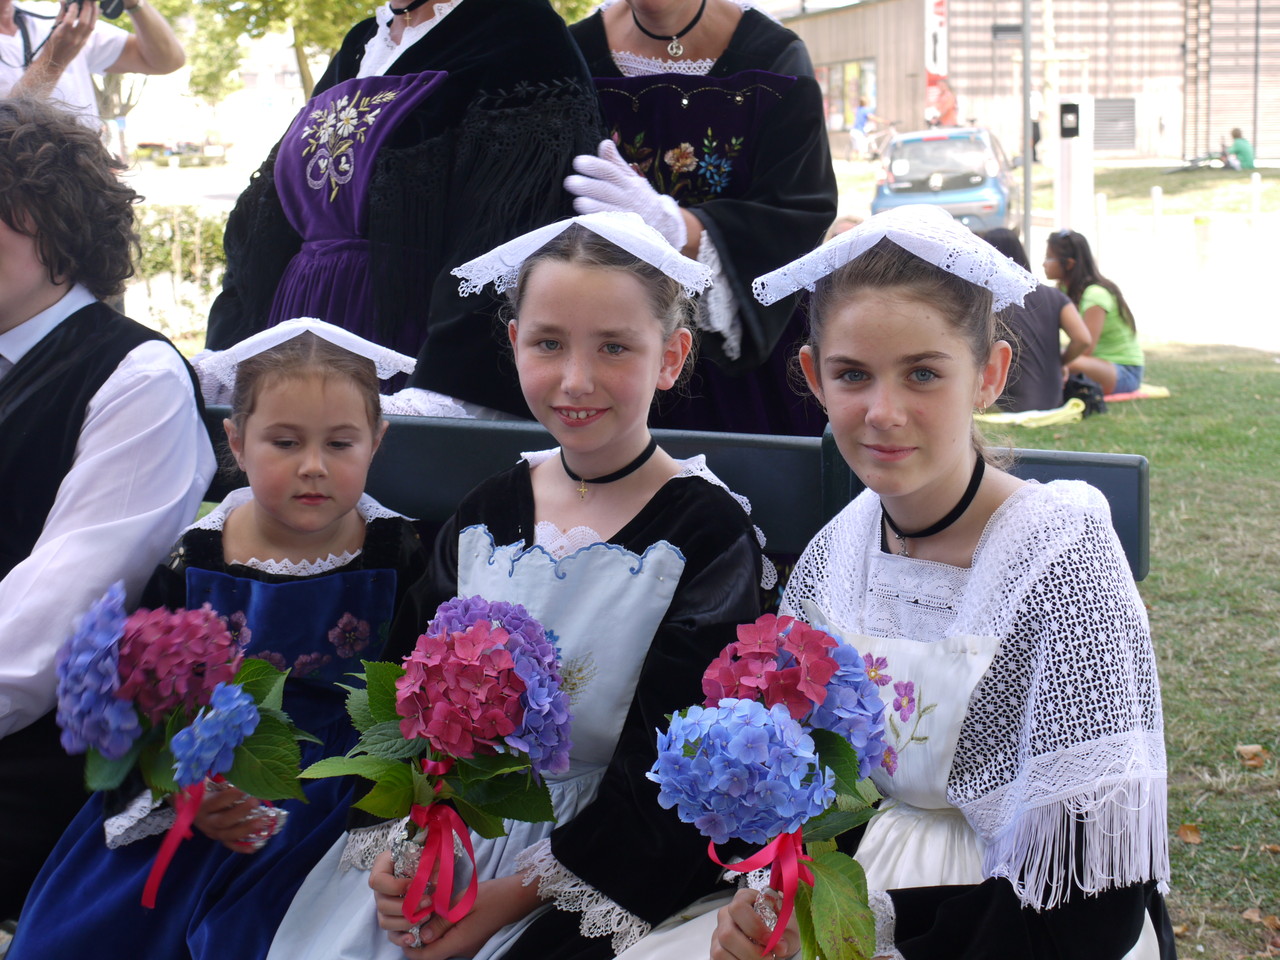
x=1026 y=772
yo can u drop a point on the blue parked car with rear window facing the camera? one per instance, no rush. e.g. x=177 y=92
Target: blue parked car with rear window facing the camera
x=962 y=170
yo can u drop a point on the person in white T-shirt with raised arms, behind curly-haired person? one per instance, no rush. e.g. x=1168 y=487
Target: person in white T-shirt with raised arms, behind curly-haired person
x=52 y=51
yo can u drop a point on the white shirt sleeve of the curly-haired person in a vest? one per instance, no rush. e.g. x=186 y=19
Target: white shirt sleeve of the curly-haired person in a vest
x=141 y=467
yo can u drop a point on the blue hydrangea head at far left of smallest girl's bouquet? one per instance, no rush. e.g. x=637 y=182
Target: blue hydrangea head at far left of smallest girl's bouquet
x=89 y=711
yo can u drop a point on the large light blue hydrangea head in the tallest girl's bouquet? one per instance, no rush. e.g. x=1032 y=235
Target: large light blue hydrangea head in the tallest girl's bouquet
x=739 y=770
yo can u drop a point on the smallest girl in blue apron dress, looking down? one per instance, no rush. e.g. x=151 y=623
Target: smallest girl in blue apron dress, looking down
x=309 y=572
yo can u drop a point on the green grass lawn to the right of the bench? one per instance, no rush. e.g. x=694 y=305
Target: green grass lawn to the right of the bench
x=1214 y=597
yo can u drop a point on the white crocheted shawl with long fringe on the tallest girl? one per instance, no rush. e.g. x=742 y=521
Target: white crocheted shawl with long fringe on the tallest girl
x=1063 y=744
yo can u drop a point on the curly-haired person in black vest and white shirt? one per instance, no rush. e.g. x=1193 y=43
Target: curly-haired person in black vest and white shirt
x=103 y=456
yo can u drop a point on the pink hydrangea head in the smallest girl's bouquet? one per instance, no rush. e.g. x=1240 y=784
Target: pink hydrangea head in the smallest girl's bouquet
x=175 y=660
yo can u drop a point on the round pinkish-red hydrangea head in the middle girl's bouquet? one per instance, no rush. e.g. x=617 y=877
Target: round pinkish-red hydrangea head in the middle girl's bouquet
x=461 y=692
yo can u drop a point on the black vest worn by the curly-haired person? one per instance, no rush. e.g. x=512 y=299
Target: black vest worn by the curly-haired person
x=43 y=406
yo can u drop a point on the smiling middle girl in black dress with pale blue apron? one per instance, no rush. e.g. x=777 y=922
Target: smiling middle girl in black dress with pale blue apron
x=639 y=564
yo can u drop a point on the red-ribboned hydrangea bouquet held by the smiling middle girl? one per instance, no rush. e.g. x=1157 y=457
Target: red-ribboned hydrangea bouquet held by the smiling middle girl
x=458 y=738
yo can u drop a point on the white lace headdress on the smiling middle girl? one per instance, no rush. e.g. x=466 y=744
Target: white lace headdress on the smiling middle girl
x=501 y=266
